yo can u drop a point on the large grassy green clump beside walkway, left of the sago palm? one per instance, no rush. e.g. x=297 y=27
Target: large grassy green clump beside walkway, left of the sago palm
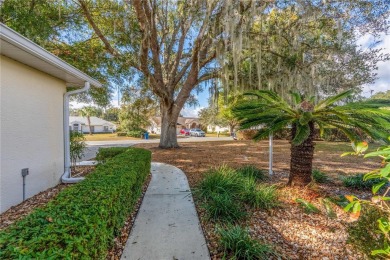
x=224 y=193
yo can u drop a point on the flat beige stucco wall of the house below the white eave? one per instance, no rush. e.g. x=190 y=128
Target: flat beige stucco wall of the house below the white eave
x=31 y=131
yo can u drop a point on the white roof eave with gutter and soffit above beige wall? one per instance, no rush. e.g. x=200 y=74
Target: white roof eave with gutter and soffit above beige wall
x=21 y=49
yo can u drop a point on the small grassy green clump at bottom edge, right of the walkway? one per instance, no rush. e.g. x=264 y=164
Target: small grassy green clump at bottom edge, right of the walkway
x=237 y=244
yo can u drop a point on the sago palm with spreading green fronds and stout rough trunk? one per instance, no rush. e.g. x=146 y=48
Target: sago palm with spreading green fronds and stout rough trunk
x=270 y=113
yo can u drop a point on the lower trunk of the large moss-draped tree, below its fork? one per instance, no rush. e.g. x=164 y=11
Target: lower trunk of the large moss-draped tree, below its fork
x=169 y=116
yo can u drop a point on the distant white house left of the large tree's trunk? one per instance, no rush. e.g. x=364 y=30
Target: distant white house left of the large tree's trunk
x=98 y=125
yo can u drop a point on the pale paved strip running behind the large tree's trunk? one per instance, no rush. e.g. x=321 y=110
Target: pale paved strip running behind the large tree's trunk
x=93 y=146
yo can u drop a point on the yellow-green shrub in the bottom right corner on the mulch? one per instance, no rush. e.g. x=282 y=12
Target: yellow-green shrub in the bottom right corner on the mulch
x=363 y=234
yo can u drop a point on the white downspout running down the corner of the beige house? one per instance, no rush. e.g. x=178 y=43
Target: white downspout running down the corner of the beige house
x=66 y=177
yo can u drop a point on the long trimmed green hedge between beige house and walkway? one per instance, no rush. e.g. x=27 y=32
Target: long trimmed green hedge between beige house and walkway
x=82 y=221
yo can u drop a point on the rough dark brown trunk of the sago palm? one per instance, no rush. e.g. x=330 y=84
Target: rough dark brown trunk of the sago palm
x=302 y=159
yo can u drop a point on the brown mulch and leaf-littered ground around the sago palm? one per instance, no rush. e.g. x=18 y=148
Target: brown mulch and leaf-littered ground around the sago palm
x=293 y=233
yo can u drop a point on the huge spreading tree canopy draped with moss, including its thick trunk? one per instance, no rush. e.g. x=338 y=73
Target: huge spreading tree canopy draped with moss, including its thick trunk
x=175 y=47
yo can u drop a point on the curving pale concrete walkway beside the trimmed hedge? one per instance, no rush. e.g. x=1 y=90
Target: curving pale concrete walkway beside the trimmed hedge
x=167 y=225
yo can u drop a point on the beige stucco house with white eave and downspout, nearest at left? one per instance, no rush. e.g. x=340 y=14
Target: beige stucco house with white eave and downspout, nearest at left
x=33 y=102
